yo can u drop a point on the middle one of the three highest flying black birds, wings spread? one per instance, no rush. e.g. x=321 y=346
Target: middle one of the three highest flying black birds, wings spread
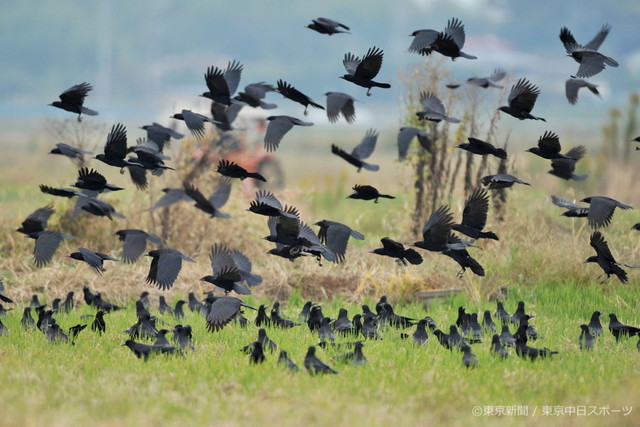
x=448 y=42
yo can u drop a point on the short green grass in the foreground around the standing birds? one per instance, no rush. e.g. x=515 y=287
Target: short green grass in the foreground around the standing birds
x=100 y=381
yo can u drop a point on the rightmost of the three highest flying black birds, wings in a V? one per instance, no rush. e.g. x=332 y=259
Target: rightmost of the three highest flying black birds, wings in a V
x=591 y=61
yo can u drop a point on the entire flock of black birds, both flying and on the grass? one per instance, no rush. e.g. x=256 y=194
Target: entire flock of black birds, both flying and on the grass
x=294 y=238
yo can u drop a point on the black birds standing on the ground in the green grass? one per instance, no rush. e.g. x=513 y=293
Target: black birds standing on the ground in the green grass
x=468 y=330
